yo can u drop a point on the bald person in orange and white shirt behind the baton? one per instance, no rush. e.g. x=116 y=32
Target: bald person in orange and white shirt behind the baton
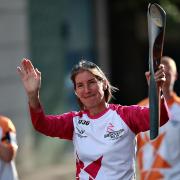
x=160 y=158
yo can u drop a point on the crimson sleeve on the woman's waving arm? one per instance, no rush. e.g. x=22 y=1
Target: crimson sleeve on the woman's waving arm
x=53 y=125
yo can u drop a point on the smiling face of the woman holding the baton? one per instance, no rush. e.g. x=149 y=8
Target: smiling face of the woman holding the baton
x=89 y=89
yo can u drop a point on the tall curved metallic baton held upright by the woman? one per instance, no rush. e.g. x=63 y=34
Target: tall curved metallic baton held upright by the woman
x=156 y=29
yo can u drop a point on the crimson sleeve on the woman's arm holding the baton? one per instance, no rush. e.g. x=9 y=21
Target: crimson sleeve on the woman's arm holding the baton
x=137 y=117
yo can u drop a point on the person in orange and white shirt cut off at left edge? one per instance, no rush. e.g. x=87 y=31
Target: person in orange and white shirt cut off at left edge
x=8 y=149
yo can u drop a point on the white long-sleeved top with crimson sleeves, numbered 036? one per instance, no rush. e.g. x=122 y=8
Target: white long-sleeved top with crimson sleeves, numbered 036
x=104 y=144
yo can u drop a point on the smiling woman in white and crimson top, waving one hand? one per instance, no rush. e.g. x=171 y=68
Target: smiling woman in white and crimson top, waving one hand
x=103 y=134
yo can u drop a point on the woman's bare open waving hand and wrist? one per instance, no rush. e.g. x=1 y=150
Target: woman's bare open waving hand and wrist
x=31 y=79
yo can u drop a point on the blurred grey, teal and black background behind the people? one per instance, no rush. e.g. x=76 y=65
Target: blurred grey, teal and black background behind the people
x=57 y=34
